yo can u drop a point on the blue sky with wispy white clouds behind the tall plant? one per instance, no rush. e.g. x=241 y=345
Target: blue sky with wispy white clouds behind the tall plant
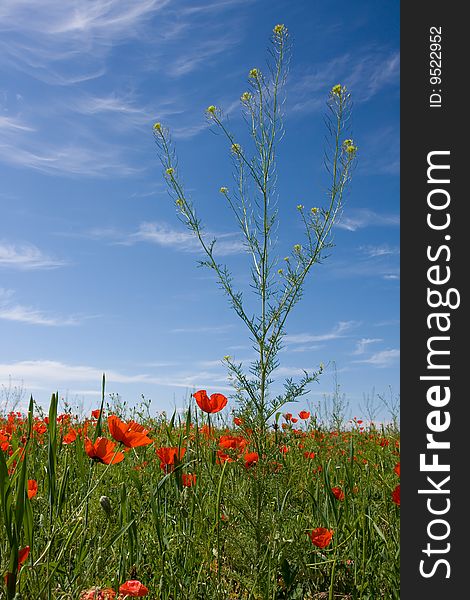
x=96 y=272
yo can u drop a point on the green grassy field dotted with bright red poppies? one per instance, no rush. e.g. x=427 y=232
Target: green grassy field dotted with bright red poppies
x=114 y=506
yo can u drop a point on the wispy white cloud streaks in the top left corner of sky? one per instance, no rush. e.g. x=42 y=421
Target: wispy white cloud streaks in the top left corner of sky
x=65 y=42
